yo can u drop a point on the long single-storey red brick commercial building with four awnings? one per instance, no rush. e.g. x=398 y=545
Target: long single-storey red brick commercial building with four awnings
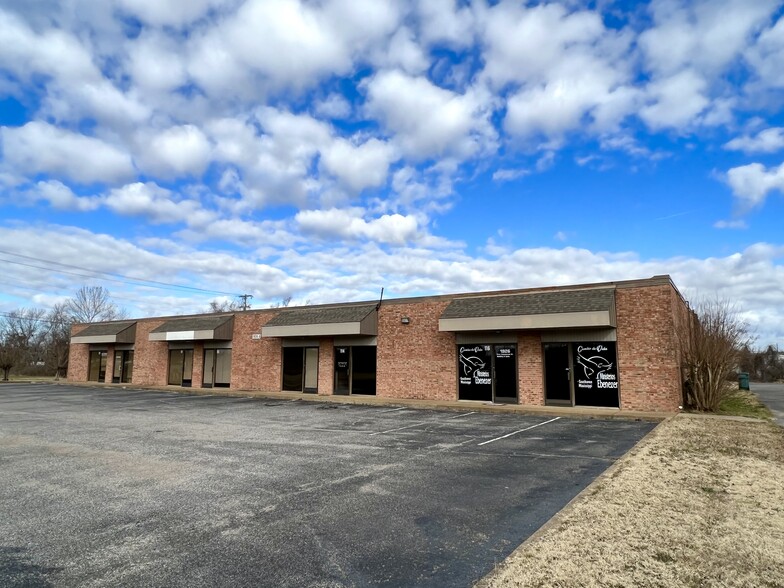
x=612 y=344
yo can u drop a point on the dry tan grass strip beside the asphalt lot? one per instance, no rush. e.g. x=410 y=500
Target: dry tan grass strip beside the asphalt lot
x=700 y=503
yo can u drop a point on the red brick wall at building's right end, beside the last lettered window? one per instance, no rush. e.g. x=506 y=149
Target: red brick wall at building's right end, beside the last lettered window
x=647 y=354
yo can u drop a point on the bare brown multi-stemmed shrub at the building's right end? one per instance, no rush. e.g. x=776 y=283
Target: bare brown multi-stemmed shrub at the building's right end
x=711 y=343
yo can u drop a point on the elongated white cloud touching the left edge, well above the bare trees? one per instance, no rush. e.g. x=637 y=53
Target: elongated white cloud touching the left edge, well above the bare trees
x=39 y=147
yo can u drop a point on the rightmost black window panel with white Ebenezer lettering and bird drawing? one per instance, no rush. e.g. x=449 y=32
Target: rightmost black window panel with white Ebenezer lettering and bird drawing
x=595 y=374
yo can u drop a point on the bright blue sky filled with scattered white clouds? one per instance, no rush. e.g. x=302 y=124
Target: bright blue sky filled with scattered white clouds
x=182 y=152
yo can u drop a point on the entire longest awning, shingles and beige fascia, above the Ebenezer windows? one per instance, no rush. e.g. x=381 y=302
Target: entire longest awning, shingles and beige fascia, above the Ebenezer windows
x=556 y=309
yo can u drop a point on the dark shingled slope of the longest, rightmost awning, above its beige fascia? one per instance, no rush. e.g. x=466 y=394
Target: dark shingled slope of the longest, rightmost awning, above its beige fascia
x=534 y=303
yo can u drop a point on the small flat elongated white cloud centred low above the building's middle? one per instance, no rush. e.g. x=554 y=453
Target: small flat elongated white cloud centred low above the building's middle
x=335 y=223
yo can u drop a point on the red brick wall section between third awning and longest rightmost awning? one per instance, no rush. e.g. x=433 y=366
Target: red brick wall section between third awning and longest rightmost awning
x=415 y=360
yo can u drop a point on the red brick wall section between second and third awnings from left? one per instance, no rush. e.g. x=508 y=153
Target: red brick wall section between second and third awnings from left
x=255 y=363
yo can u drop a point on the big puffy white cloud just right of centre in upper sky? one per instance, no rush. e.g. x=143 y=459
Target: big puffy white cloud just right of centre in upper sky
x=430 y=121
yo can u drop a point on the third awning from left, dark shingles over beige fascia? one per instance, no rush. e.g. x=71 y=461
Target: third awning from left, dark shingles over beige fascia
x=324 y=322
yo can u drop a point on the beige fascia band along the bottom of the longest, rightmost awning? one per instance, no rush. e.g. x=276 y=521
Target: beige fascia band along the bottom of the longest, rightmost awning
x=560 y=320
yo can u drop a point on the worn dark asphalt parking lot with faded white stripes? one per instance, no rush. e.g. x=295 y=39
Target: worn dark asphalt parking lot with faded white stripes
x=116 y=487
